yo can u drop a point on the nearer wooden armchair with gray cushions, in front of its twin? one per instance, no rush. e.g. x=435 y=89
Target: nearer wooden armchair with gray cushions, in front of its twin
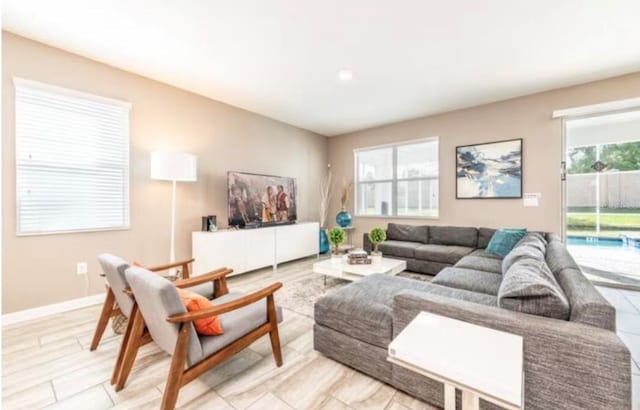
x=245 y=318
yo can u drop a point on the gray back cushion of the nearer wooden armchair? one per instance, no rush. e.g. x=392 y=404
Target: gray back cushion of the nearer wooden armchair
x=158 y=299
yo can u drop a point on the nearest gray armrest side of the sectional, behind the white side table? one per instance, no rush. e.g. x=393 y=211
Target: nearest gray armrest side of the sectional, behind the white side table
x=567 y=365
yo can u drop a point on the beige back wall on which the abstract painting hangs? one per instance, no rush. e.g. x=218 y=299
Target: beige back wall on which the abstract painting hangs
x=526 y=117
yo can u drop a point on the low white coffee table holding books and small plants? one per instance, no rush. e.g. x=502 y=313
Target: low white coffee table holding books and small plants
x=343 y=270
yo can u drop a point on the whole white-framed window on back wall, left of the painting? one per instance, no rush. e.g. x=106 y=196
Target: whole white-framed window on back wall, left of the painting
x=398 y=180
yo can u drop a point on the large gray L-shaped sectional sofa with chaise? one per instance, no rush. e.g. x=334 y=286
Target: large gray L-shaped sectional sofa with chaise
x=573 y=358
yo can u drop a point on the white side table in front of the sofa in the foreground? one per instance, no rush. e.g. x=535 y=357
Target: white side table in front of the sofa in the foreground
x=482 y=362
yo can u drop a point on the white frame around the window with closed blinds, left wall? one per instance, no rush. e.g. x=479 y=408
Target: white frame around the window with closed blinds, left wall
x=18 y=81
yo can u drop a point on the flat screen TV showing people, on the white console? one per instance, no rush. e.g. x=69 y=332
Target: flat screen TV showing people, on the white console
x=260 y=200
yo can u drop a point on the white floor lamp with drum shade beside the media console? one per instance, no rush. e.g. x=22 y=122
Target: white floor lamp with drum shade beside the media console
x=174 y=167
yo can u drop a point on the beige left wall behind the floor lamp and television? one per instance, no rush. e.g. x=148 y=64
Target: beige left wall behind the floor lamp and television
x=40 y=270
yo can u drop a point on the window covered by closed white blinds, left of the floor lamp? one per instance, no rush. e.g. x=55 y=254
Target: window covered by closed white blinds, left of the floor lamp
x=72 y=160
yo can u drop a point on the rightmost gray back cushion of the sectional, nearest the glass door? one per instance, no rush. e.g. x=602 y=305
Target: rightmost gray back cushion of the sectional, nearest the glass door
x=588 y=306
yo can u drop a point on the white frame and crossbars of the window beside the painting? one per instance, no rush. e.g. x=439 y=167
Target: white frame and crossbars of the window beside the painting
x=394 y=179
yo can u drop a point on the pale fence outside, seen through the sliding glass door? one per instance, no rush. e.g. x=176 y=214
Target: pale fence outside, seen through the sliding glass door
x=617 y=190
